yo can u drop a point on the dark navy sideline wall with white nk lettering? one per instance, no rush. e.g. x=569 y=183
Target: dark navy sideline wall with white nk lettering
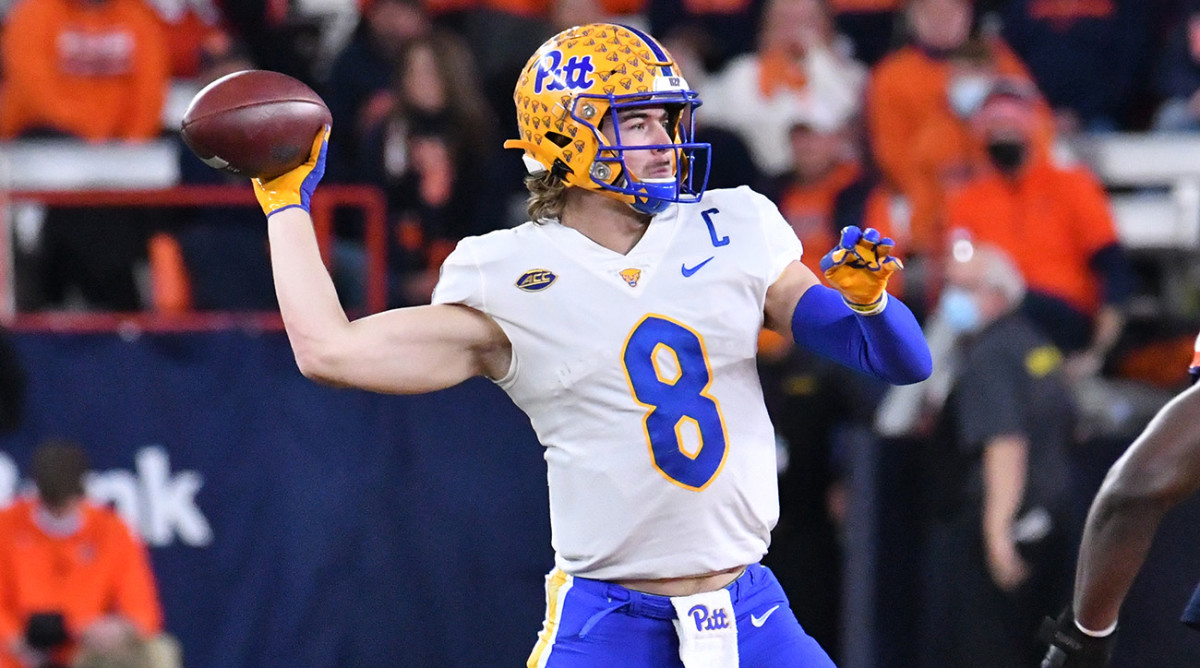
x=297 y=526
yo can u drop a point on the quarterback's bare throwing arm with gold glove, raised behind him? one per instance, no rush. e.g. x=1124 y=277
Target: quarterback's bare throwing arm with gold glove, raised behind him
x=405 y=351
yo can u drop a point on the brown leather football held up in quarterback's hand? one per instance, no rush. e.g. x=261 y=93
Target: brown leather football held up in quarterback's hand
x=255 y=124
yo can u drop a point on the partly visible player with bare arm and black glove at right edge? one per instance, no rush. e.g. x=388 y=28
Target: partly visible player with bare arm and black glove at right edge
x=1160 y=471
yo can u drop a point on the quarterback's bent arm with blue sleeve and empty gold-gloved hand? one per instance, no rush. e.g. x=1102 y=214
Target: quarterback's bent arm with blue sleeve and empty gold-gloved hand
x=856 y=326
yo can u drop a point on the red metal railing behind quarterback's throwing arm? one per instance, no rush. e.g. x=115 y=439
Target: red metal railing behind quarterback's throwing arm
x=329 y=198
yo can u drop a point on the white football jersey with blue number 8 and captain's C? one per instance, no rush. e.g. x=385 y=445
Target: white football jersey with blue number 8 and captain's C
x=639 y=376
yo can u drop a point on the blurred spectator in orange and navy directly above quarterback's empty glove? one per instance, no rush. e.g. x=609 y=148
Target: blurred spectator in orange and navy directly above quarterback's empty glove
x=826 y=189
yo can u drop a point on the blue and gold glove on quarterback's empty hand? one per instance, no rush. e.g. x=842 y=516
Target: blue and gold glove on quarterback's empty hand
x=860 y=268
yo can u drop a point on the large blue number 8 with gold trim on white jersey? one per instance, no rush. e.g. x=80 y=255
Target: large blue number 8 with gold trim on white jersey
x=675 y=398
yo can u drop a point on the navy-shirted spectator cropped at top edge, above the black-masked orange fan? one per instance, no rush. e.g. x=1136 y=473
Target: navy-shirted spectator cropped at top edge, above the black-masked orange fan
x=1085 y=57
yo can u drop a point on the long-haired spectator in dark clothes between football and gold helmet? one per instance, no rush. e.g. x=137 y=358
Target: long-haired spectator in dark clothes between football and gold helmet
x=429 y=154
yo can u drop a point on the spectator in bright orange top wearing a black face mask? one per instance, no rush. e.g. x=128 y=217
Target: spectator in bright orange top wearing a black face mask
x=1057 y=225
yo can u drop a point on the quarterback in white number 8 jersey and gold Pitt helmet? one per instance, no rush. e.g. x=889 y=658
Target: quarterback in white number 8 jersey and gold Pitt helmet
x=623 y=320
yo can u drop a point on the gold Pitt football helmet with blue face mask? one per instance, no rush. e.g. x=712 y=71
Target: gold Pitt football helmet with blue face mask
x=586 y=75
